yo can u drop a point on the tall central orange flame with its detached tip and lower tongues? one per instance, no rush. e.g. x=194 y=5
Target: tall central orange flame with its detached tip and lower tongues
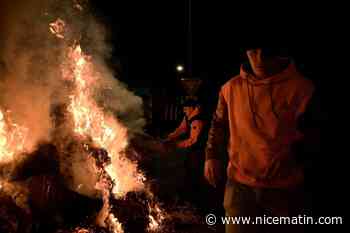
x=91 y=121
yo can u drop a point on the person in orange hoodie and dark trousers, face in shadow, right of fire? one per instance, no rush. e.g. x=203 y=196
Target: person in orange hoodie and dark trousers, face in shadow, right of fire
x=258 y=117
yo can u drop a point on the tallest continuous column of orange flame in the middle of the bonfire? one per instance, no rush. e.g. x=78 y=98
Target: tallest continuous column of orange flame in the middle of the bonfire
x=91 y=121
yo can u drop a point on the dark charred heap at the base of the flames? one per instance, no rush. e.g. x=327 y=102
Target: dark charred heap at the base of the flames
x=37 y=199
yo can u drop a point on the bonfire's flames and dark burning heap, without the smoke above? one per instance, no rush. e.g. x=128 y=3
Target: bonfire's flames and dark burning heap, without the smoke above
x=86 y=177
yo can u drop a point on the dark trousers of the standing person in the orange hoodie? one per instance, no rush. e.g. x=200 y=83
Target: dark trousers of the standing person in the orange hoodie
x=243 y=201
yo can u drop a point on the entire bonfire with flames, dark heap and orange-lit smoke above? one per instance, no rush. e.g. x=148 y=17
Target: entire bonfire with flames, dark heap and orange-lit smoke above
x=65 y=126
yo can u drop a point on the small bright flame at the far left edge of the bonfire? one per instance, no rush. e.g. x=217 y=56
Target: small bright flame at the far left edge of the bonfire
x=12 y=138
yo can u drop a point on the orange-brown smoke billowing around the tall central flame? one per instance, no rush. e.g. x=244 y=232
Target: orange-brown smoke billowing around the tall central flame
x=31 y=83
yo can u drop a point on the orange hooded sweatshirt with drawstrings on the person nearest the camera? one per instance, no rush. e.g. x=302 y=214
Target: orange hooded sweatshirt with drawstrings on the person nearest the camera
x=259 y=119
